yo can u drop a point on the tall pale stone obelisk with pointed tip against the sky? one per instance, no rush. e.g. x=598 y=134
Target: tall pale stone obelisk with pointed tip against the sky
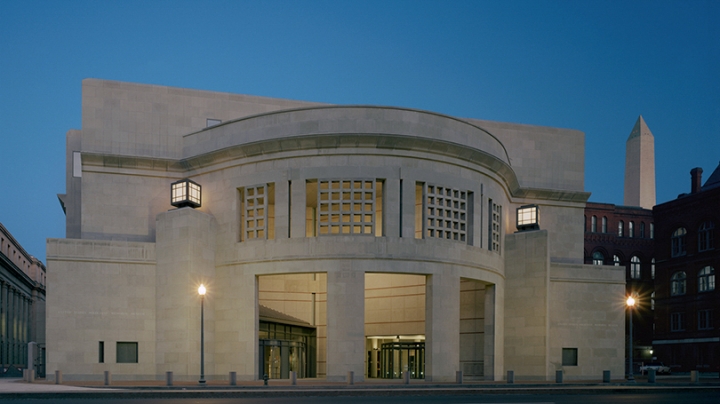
x=640 y=167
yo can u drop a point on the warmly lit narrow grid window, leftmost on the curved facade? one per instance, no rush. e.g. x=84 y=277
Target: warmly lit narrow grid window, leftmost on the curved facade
x=257 y=212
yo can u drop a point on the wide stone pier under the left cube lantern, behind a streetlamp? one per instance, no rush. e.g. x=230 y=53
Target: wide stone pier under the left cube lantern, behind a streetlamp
x=185 y=249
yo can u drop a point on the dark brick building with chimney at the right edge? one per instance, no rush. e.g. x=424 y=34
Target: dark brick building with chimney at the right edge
x=687 y=330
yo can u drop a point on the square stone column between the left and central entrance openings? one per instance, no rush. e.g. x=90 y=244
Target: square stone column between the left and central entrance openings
x=345 y=323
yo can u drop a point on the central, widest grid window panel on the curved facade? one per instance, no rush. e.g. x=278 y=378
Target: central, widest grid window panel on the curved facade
x=346 y=207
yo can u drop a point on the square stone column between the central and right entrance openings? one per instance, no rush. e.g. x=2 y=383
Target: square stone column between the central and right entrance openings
x=442 y=327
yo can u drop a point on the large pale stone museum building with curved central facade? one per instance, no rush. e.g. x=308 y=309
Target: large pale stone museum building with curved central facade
x=329 y=239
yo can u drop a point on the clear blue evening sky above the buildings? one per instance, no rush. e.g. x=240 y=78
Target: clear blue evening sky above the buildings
x=594 y=66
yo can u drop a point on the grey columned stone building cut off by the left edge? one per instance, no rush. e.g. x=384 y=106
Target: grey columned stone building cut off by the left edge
x=22 y=308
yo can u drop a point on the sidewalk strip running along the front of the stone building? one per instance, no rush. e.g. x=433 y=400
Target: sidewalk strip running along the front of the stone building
x=15 y=386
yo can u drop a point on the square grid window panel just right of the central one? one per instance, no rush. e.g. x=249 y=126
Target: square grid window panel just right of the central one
x=446 y=211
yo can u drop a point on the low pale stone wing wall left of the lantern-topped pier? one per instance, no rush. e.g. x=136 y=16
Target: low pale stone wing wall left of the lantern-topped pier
x=101 y=291
